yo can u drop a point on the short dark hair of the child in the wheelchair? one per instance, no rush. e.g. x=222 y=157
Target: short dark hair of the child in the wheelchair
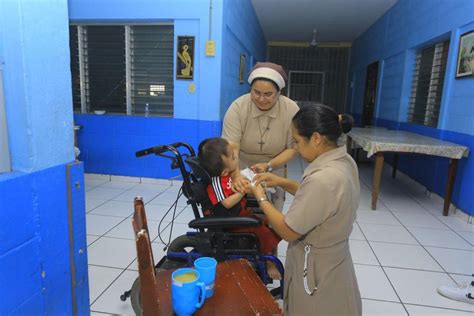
x=210 y=155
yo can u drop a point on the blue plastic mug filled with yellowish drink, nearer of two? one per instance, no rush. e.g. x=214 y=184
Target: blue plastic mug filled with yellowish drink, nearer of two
x=188 y=293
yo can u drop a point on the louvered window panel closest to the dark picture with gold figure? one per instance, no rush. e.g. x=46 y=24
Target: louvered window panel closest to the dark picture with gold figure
x=152 y=69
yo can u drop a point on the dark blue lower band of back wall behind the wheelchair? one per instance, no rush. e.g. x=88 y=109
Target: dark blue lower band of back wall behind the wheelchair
x=108 y=142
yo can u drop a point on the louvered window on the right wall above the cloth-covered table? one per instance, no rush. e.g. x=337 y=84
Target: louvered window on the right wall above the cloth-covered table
x=427 y=86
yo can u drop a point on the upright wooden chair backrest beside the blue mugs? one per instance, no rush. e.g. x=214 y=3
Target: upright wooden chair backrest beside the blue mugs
x=146 y=264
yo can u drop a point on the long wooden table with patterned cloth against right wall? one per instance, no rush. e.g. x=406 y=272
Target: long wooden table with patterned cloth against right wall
x=380 y=141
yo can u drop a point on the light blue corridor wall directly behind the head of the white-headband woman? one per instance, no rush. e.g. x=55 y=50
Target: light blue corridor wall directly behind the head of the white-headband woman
x=241 y=34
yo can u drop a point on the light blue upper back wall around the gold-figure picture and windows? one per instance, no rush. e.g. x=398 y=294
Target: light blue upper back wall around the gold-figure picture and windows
x=189 y=17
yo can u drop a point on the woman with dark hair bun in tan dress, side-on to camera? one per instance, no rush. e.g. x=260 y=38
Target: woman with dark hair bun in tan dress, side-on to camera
x=319 y=273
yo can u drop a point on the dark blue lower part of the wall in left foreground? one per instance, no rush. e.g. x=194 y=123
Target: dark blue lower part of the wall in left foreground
x=34 y=242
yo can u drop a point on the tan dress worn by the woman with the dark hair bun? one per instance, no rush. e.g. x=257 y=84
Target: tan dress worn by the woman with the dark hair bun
x=323 y=211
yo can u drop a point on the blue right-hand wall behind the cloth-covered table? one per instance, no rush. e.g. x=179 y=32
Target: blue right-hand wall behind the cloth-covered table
x=393 y=41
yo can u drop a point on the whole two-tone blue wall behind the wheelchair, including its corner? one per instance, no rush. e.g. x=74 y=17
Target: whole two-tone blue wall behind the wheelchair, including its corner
x=108 y=142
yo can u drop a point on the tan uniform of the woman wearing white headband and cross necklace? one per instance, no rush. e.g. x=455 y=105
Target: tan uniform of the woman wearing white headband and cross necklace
x=261 y=135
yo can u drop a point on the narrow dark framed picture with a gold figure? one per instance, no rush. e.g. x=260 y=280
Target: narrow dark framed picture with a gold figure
x=185 y=58
